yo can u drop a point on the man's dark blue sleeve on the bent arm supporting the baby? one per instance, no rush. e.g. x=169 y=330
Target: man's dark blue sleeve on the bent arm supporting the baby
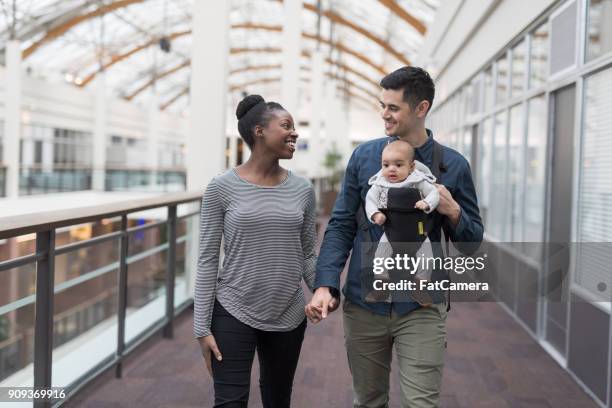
x=467 y=234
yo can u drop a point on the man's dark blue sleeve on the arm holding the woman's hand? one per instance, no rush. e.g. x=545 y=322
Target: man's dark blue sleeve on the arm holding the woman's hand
x=341 y=230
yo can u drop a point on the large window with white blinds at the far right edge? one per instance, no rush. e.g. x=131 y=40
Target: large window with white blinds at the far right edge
x=595 y=189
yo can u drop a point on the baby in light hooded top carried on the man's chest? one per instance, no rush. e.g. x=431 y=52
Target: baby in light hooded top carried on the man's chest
x=400 y=170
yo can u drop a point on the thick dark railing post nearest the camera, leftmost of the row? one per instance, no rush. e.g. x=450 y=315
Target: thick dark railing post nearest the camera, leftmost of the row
x=43 y=336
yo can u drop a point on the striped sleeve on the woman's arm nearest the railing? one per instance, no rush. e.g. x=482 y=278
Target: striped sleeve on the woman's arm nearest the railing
x=211 y=229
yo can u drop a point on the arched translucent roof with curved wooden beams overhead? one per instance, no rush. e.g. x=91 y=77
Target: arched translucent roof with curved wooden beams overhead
x=360 y=56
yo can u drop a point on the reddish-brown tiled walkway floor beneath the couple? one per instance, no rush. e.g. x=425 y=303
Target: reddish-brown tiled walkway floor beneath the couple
x=490 y=362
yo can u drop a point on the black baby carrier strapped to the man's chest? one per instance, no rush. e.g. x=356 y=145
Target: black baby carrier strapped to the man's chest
x=407 y=230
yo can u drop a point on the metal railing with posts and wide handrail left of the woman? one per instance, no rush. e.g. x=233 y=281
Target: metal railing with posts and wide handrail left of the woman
x=45 y=226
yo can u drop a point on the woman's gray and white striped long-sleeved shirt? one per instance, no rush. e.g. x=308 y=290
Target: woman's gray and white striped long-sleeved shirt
x=269 y=246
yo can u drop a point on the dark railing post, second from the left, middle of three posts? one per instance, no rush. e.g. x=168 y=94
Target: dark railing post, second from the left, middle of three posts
x=122 y=295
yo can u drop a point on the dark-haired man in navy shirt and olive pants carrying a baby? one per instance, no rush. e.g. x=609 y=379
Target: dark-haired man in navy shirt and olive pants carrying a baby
x=373 y=329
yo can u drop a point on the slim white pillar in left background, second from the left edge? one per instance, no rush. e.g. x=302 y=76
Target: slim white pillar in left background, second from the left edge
x=100 y=135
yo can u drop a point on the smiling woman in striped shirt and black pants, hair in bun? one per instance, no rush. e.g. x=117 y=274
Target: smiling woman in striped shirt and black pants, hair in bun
x=266 y=216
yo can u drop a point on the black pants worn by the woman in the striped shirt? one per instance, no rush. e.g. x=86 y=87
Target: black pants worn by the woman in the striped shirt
x=278 y=354
